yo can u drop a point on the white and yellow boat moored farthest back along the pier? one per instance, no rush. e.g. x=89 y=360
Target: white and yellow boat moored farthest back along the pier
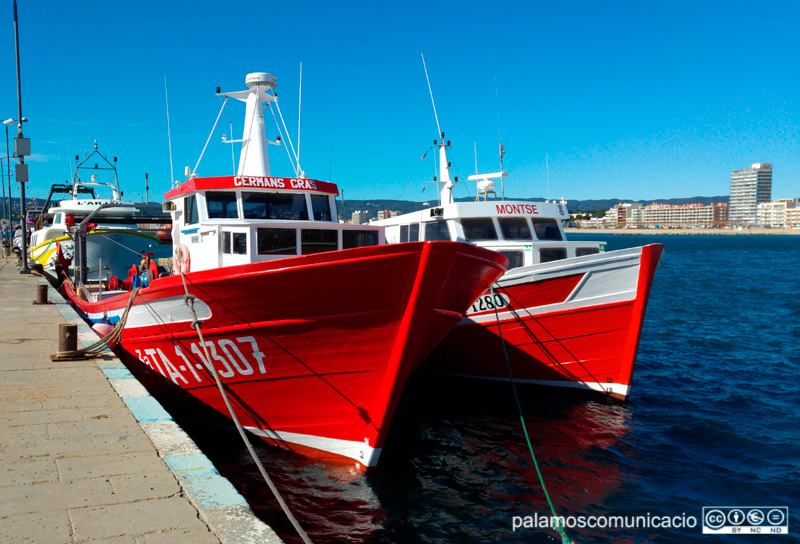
x=116 y=235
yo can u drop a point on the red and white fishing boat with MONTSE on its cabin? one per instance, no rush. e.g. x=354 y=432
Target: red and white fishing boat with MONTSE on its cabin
x=569 y=314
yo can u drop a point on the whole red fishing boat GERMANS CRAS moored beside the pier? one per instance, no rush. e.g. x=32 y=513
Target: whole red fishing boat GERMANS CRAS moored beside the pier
x=313 y=325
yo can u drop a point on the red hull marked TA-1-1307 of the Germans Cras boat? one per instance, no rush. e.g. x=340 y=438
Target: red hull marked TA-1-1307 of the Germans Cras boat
x=314 y=351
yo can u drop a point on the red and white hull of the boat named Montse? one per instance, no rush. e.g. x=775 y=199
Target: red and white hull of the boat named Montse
x=573 y=323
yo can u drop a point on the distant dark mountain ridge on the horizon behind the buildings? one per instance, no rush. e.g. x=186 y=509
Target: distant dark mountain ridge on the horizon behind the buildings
x=372 y=207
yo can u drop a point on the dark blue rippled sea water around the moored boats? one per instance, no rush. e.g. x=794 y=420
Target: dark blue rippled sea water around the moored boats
x=713 y=420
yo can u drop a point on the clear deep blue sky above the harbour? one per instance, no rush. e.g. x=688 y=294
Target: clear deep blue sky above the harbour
x=641 y=100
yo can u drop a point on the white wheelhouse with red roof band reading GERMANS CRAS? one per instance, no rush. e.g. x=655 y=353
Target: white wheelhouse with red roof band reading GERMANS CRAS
x=232 y=220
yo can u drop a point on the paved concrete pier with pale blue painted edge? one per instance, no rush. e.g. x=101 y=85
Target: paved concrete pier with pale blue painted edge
x=86 y=454
